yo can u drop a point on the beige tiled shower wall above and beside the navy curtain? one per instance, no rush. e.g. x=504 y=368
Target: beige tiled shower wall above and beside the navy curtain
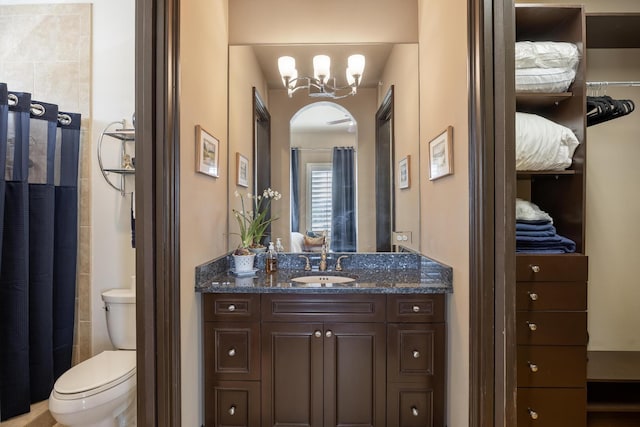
x=46 y=50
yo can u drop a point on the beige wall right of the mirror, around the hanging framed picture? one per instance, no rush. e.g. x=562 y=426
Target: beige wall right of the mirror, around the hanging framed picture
x=444 y=228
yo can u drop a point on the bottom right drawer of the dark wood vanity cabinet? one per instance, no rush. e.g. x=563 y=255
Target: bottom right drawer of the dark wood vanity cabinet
x=414 y=405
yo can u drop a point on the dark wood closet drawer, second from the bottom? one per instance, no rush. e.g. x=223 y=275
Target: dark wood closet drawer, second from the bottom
x=552 y=366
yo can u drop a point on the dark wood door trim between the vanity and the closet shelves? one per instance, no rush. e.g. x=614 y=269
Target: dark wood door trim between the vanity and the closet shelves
x=492 y=193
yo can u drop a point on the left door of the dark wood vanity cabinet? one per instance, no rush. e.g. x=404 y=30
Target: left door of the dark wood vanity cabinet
x=292 y=381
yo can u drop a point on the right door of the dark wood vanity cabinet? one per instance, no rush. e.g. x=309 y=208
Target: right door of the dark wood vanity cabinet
x=354 y=374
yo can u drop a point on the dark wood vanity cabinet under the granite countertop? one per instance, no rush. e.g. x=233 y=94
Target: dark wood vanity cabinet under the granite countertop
x=324 y=360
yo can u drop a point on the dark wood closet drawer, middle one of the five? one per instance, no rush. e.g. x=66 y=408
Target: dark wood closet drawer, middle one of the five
x=551 y=328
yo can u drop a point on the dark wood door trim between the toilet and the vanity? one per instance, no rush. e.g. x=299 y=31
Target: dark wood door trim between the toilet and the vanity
x=157 y=209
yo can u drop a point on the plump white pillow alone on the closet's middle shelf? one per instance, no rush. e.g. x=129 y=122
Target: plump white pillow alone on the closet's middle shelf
x=542 y=144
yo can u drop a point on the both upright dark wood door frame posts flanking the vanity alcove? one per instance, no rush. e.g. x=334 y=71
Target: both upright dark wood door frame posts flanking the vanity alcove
x=491 y=108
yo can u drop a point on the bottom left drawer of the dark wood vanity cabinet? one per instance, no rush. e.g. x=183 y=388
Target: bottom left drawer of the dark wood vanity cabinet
x=233 y=403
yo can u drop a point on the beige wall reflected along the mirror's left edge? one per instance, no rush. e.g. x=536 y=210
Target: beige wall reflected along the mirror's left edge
x=246 y=74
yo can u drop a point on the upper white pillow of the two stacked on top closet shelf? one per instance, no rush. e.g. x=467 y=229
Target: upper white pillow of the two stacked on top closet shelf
x=547 y=55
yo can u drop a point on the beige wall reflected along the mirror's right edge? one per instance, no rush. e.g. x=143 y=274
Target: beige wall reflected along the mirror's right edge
x=401 y=71
